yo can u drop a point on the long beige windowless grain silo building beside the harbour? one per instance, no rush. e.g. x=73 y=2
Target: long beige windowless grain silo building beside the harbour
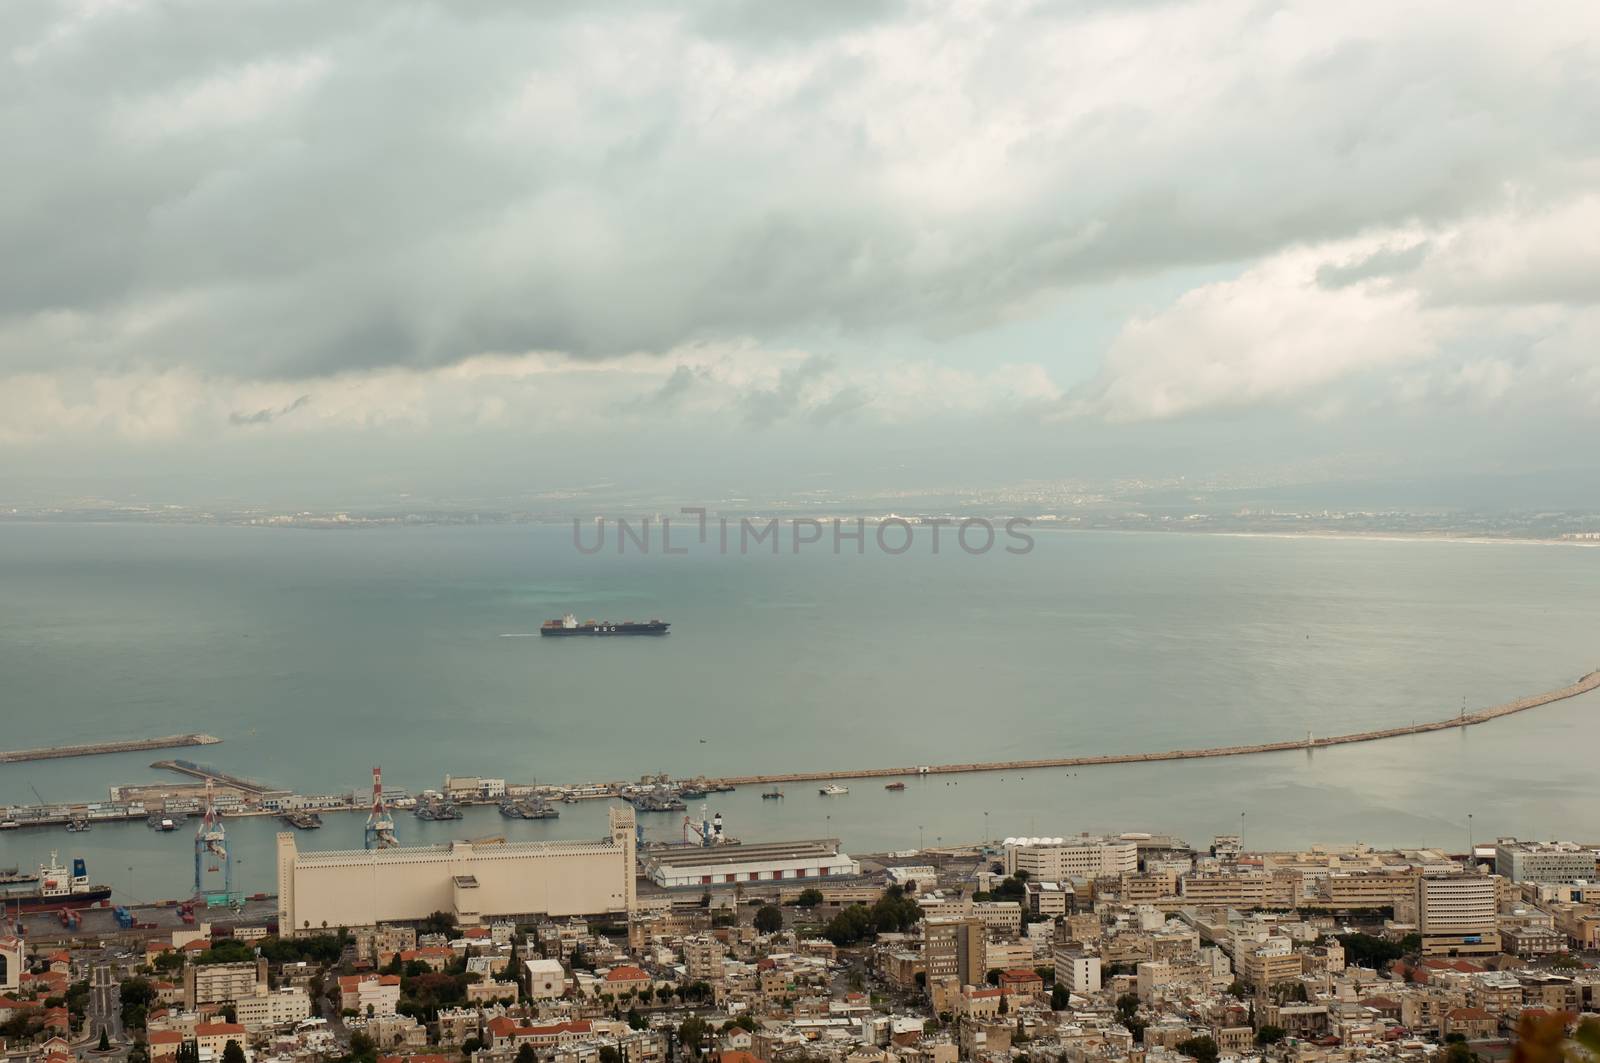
x=473 y=883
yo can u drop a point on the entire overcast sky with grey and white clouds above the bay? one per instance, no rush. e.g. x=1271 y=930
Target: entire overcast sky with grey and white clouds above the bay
x=303 y=251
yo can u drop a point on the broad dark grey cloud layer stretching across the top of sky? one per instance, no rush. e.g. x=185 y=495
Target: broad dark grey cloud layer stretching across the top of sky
x=302 y=190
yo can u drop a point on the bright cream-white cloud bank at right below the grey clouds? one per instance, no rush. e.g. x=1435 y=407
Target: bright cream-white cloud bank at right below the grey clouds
x=1406 y=313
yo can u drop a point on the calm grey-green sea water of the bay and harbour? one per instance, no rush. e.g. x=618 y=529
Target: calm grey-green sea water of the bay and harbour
x=319 y=654
